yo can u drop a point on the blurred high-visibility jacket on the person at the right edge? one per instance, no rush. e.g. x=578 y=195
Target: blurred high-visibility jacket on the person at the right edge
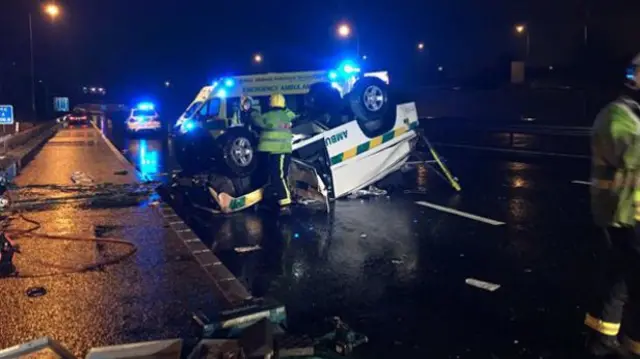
x=615 y=167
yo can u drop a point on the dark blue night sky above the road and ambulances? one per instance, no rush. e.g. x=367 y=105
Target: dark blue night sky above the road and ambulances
x=129 y=45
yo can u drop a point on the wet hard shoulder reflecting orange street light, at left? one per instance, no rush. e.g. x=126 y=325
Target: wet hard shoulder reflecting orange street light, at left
x=149 y=295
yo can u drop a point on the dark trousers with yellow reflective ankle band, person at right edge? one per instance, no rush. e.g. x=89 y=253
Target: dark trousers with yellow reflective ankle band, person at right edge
x=618 y=302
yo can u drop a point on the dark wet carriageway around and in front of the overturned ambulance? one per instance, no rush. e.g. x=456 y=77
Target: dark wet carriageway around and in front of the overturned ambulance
x=396 y=270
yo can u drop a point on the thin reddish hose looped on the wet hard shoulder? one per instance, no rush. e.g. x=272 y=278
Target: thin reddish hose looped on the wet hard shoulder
x=30 y=232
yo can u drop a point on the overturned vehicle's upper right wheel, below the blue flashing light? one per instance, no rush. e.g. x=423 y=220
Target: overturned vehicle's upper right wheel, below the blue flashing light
x=369 y=99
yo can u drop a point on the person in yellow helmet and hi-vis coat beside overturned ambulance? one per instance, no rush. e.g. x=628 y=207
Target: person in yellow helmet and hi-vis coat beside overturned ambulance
x=275 y=143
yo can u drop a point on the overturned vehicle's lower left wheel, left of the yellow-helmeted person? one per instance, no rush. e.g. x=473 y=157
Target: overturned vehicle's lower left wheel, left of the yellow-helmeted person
x=239 y=155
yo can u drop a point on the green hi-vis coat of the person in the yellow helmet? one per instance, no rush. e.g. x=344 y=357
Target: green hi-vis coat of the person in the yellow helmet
x=276 y=134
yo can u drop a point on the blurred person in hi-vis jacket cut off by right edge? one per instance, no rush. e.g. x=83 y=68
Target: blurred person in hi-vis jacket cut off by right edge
x=615 y=204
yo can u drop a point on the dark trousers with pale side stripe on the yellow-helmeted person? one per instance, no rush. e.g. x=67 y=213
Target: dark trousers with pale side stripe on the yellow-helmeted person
x=278 y=170
